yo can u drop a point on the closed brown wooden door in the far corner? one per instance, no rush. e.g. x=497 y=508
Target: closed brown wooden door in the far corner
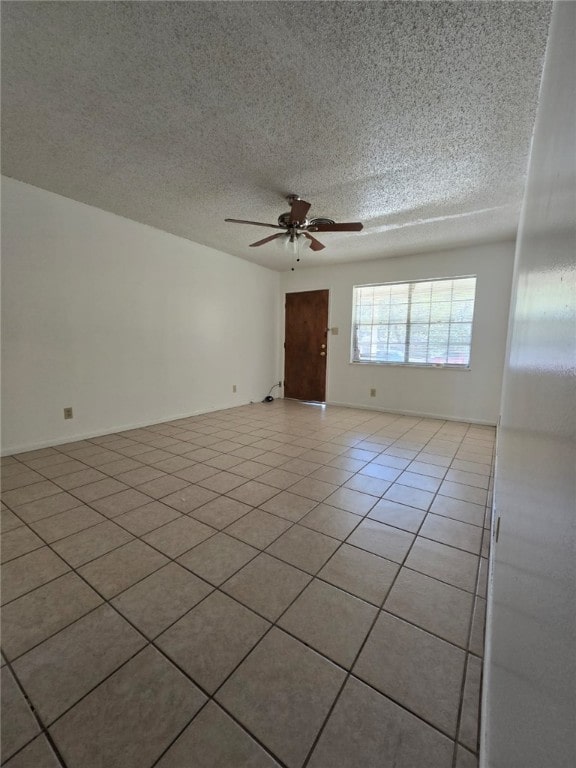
x=305 y=347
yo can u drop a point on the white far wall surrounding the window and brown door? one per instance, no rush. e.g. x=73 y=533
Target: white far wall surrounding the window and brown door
x=472 y=395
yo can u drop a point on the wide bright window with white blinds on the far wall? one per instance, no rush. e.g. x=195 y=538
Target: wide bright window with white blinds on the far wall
x=428 y=322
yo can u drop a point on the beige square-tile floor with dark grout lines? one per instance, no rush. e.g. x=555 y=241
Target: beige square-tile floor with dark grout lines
x=275 y=584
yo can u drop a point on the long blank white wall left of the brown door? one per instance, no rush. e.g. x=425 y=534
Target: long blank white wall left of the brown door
x=127 y=324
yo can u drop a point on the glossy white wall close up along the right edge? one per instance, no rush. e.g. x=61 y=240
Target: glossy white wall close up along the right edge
x=530 y=675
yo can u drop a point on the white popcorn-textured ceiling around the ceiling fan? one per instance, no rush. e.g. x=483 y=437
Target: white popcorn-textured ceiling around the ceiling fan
x=412 y=117
